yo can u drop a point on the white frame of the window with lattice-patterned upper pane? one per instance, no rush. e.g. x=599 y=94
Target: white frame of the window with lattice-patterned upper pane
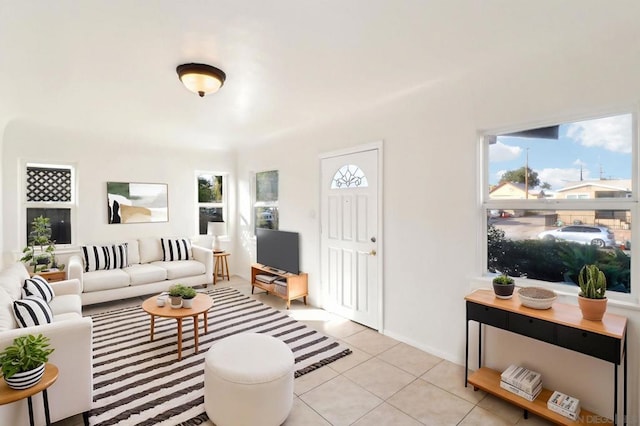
x=71 y=205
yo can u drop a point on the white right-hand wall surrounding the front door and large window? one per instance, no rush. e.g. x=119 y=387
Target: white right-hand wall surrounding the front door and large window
x=431 y=206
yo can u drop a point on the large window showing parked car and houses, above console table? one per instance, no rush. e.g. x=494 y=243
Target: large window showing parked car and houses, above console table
x=559 y=197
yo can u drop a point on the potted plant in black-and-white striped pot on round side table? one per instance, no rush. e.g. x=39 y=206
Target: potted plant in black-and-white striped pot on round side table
x=22 y=363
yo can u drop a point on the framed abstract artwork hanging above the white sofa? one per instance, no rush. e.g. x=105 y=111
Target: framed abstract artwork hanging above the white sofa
x=137 y=202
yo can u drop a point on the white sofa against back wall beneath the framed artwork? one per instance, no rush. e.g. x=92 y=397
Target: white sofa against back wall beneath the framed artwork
x=146 y=273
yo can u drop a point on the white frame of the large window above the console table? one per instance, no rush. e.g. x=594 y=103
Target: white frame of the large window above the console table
x=485 y=203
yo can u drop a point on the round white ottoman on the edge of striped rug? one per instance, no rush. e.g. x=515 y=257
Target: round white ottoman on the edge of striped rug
x=248 y=380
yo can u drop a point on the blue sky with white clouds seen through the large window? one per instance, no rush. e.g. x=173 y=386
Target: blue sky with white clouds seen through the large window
x=601 y=146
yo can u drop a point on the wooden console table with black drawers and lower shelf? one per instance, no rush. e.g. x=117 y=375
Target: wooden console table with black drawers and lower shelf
x=563 y=326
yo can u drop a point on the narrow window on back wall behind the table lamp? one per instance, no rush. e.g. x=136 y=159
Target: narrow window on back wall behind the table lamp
x=211 y=200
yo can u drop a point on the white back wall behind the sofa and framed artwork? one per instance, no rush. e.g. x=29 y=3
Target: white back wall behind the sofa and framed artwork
x=99 y=159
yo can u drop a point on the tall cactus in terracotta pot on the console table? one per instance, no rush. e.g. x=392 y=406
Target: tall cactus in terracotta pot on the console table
x=593 y=286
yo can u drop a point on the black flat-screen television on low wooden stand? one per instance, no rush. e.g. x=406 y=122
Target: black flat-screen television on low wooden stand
x=278 y=250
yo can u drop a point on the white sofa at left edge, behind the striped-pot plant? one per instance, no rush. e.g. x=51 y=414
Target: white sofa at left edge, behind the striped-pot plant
x=70 y=336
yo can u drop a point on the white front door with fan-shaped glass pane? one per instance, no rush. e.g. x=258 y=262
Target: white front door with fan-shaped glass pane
x=350 y=241
